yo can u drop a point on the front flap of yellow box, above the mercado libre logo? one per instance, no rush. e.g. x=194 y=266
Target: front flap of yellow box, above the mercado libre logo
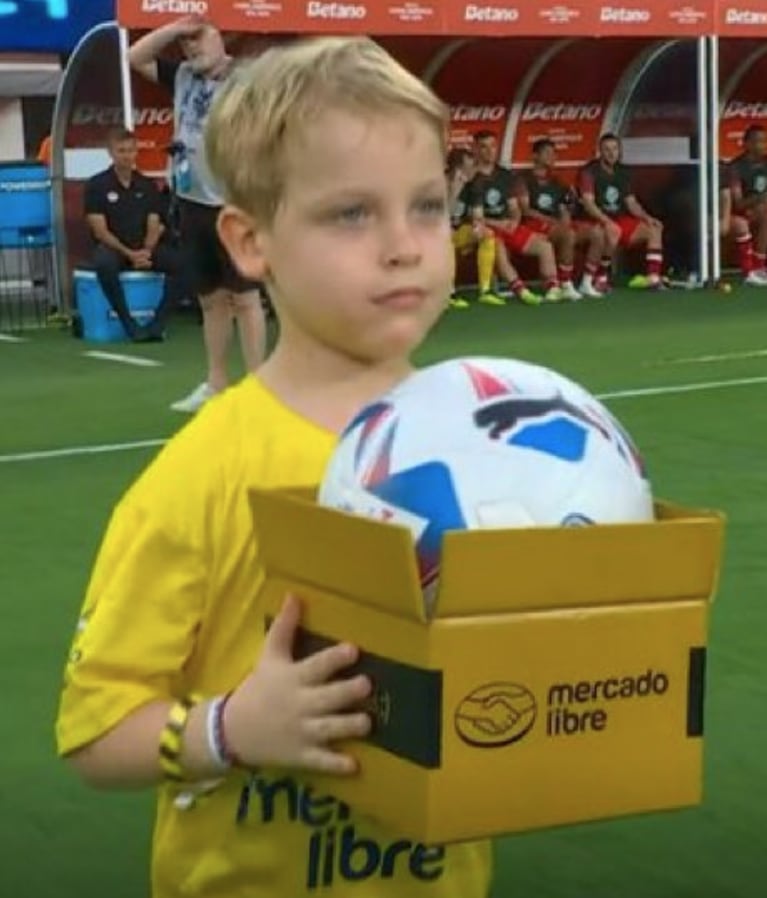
x=495 y=571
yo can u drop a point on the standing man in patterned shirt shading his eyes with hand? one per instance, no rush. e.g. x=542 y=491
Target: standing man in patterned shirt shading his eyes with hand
x=225 y=296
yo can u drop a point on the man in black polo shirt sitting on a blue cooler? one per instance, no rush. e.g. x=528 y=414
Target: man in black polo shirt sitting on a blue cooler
x=122 y=208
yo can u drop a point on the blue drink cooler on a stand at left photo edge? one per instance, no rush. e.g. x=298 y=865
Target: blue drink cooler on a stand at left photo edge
x=25 y=204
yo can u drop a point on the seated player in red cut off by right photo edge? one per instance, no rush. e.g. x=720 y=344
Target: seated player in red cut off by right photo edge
x=748 y=186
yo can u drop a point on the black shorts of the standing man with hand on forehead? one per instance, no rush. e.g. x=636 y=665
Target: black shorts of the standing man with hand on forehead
x=206 y=260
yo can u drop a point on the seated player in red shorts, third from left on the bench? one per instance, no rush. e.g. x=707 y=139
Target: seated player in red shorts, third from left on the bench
x=546 y=202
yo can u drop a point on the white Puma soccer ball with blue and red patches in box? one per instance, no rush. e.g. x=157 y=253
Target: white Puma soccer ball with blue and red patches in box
x=486 y=442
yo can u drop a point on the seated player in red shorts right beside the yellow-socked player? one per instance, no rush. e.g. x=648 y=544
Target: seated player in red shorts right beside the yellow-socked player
x=494 y=207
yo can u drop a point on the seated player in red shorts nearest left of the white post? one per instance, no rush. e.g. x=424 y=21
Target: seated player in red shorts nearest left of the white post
x=607 y=197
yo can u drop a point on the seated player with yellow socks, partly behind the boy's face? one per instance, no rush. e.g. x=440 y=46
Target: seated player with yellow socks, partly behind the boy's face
x=491 y=255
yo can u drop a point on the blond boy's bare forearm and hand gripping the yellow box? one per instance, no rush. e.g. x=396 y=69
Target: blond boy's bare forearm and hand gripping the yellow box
x=286 y=713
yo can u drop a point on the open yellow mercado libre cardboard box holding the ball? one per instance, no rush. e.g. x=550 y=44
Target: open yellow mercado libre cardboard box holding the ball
x=560 y=679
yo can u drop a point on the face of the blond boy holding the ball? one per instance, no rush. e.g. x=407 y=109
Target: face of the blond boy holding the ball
x=359 y=255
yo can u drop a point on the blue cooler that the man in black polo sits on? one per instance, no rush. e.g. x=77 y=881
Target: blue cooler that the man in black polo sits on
x=143 y=292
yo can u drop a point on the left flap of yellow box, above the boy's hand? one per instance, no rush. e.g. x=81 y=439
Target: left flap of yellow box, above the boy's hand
x=341 y=553
